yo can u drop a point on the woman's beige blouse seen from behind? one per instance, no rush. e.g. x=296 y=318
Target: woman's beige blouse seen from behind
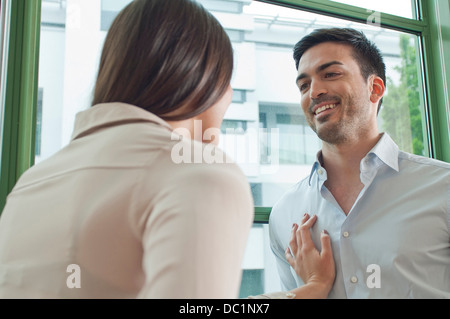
x=112 y=215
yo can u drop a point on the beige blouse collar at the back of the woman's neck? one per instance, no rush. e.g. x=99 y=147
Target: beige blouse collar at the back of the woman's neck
x=110 y=114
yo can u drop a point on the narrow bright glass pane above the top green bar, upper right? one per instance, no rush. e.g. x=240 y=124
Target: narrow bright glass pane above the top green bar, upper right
x=401 y=8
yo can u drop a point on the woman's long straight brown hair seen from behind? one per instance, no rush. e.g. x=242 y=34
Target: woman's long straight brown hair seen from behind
x=169 y=57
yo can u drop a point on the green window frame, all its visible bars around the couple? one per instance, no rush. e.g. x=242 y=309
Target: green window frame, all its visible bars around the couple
x=19 y=110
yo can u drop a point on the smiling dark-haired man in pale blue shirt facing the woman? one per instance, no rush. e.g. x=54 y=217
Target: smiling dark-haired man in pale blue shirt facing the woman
x=386 y=211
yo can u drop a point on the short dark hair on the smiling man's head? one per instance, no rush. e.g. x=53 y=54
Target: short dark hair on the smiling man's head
x=365 y=52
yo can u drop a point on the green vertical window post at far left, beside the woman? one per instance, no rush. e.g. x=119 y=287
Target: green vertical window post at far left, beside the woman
x=21 y=94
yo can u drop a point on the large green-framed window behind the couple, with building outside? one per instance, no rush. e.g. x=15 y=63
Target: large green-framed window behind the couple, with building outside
x=415 y=109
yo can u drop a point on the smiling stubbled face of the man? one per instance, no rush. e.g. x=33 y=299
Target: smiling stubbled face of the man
x=334 y=96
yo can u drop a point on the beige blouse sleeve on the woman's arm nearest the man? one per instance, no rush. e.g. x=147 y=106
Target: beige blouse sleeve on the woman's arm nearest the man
x=196 y=234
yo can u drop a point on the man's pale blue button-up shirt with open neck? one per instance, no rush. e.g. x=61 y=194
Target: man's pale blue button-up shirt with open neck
x=394 y=243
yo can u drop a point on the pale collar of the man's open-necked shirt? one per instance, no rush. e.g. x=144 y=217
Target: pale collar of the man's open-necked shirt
x=386 y=150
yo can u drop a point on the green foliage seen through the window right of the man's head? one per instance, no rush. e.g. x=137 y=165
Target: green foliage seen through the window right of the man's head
x=401 y=113
